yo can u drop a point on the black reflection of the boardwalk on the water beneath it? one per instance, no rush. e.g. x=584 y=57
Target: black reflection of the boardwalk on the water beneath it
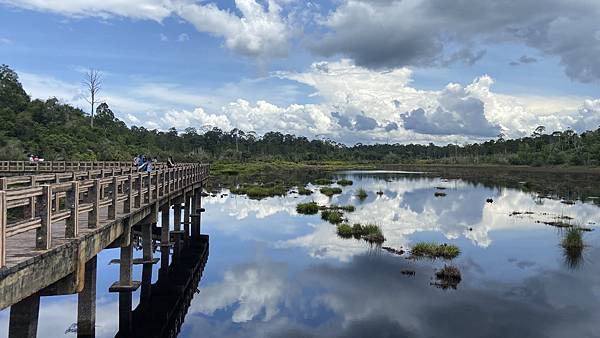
x=163 y=305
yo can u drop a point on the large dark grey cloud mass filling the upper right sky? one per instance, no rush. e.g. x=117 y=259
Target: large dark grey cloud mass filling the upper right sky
x=389 y=34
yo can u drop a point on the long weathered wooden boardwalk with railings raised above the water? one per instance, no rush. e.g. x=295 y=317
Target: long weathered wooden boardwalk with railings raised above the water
x=52 y=224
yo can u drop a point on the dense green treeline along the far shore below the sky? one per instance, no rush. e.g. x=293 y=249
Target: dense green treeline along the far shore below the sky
x=58 y=131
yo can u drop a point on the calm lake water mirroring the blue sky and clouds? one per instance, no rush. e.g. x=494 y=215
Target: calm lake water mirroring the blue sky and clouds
x=274 y=273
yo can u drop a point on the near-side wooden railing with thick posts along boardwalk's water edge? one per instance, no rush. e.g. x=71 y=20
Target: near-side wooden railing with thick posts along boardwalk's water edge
x=50 y=198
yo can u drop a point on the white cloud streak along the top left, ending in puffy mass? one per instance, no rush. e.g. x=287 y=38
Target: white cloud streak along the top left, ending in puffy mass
x=260 y=31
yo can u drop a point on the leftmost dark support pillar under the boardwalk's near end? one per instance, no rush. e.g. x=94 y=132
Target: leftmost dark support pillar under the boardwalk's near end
x=24 y=318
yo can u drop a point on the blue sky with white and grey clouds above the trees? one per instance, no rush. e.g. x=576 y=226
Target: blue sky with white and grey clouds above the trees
x=406 y=71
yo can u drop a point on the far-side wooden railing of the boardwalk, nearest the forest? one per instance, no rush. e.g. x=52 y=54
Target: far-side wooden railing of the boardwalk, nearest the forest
x=64 y=166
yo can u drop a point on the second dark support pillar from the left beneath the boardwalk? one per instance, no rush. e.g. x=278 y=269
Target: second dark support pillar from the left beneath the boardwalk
x=86 y=302
